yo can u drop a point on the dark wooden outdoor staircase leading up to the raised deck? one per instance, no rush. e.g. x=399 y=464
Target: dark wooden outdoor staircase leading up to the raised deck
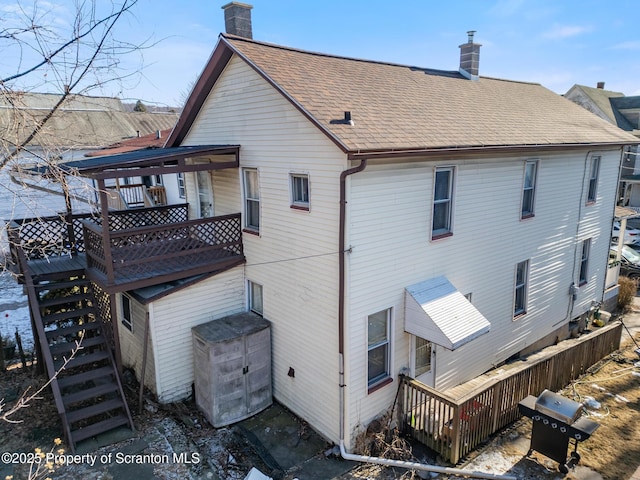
x=72 y=338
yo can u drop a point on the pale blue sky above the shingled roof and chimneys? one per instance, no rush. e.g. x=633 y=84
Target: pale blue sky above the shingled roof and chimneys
x=557 y=43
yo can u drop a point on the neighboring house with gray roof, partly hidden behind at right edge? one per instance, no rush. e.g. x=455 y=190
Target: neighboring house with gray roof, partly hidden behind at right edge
x=624 y=112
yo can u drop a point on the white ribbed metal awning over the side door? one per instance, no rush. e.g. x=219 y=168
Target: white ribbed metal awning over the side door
x=436 y=311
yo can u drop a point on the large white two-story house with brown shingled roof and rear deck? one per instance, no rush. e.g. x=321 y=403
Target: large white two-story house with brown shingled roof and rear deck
x=383 y=218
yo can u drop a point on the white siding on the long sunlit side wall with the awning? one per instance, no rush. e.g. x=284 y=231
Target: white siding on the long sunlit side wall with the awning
x=384 y=261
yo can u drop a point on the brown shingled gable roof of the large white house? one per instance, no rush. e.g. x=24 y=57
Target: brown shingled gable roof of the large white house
x=404 y=108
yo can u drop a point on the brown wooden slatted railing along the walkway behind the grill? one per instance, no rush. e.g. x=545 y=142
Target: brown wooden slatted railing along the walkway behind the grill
x=453 y=427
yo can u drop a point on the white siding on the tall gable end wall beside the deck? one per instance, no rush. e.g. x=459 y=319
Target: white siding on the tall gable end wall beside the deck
x=278 y=140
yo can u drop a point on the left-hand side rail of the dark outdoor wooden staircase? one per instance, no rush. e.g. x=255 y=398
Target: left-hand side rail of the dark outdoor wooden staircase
x=45 y=352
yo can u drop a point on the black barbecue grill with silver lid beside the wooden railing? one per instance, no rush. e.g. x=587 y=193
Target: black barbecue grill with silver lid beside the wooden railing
x=556 y=421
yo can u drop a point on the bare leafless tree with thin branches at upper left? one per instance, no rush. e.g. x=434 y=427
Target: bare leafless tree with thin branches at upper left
x=71 y=50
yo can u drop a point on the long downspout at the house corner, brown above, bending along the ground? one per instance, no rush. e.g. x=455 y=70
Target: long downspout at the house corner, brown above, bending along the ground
x=341 y=300
